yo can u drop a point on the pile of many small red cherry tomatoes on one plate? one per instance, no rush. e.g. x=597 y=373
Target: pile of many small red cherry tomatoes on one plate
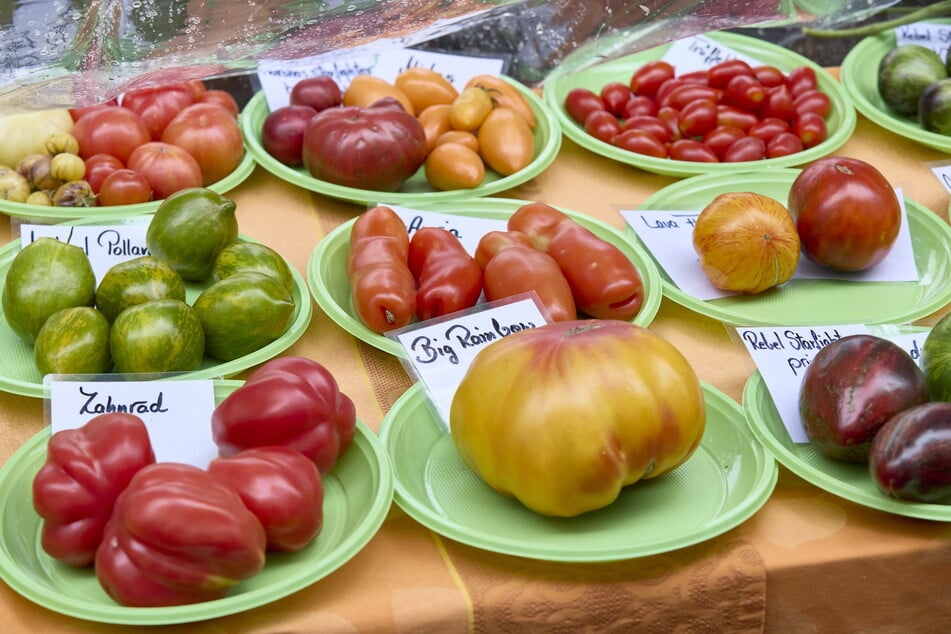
x=729 y=112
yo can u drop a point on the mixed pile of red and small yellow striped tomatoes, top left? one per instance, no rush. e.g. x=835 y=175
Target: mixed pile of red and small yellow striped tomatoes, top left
x=151 y=144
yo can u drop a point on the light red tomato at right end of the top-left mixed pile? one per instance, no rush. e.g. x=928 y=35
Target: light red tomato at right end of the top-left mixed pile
x=210 y=134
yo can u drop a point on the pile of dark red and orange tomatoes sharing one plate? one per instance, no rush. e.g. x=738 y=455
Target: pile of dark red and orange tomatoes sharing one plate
x=375 y=135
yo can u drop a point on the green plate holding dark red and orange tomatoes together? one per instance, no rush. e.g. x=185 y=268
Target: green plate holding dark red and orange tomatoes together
x=416 y=188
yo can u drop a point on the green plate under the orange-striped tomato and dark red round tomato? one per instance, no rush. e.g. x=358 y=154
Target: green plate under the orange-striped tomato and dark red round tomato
x=817 y=302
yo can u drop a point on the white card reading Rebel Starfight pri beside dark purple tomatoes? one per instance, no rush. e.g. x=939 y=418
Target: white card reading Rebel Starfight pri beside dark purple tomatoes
x=782 y=355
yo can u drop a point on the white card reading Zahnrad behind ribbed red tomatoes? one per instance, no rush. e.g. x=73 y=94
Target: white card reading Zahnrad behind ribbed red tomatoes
x=176 y=413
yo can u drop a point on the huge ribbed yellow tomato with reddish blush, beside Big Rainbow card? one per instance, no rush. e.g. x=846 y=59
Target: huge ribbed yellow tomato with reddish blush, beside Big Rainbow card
x=563 y=416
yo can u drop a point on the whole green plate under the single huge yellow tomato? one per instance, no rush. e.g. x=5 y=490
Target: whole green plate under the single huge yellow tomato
x=726 y=481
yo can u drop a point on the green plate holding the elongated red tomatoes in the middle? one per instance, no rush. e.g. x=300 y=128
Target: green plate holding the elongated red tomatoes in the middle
x=327 y=266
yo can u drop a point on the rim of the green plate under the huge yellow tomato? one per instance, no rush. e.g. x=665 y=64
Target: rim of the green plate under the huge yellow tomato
x=424 y=513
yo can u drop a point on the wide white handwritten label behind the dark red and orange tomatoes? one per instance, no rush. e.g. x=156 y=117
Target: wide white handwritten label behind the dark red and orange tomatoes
x=278 y=77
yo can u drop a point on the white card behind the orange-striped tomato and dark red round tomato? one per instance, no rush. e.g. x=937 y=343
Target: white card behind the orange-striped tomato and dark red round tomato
x=669 y=237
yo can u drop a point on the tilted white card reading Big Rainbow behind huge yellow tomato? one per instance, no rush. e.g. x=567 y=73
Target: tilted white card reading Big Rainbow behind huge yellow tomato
x=440 y=351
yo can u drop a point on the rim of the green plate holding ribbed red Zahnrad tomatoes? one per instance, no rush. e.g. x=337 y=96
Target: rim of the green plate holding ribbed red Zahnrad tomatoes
x=364 y=440
